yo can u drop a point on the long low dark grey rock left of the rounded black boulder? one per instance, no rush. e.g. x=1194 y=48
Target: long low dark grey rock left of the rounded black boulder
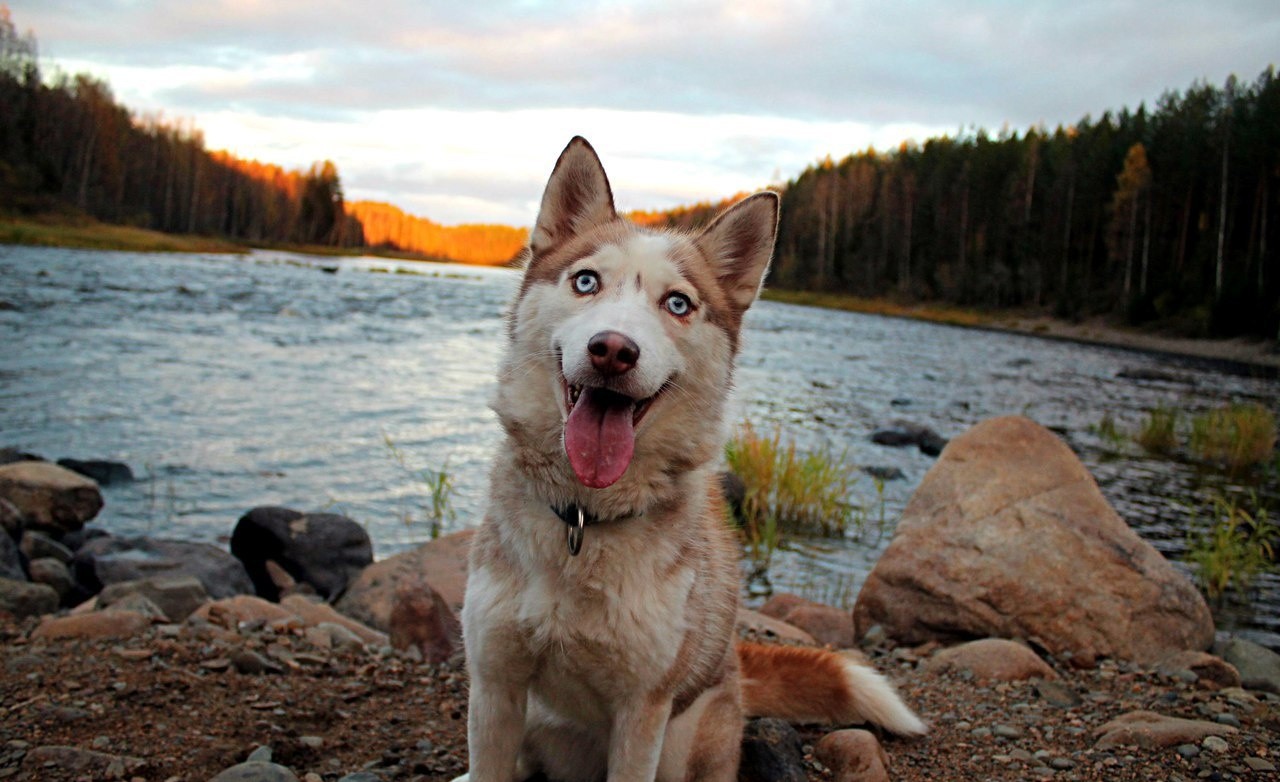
x=106 y=561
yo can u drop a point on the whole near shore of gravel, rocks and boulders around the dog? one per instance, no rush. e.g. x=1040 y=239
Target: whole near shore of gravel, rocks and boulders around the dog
x=1021 y=619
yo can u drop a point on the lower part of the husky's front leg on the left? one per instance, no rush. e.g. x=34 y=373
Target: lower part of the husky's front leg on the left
x=496 y=728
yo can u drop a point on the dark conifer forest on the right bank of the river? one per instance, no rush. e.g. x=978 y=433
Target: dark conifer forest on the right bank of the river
x=1158 y=217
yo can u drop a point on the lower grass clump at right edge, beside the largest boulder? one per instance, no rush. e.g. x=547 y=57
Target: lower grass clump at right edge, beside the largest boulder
x=1233 y=548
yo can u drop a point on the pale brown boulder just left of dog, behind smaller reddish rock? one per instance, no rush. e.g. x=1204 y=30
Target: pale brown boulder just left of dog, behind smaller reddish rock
x=442 y=564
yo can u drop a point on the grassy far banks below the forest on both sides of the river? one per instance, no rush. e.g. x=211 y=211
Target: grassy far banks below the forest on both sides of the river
x=58 y=231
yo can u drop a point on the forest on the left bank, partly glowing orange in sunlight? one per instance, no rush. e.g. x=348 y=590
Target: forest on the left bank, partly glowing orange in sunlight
x=67 y=145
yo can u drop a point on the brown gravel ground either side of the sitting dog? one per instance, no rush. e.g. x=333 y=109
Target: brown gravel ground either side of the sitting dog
x=186 y=703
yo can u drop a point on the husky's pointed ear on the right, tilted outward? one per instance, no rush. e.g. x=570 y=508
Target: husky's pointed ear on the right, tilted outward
x=740 y=244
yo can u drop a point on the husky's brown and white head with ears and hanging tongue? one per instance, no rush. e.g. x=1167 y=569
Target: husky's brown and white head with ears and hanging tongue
x=630 y=333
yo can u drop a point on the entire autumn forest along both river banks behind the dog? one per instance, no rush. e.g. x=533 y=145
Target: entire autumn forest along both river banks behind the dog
x=1164 y=216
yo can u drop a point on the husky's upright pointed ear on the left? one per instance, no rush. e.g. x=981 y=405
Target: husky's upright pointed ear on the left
x=578 y=198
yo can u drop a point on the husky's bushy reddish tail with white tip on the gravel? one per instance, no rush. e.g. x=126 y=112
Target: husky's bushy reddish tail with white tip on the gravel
x=813 y=685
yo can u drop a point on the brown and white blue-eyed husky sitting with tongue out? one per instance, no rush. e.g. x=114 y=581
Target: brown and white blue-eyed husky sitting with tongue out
x=600 y=614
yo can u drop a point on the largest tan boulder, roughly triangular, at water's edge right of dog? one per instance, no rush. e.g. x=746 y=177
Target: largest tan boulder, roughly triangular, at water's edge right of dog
x=1009 y=537
